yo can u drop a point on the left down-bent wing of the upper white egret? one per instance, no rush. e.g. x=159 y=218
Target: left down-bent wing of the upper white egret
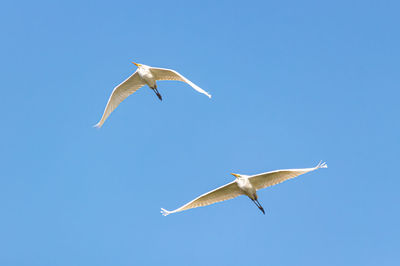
x=120 y=93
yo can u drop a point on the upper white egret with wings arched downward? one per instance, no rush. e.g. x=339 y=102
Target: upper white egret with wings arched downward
x=142 y=76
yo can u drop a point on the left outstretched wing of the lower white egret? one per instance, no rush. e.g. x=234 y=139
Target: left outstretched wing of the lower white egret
x=228 y=191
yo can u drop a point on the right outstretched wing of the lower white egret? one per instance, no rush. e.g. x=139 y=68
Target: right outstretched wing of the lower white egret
x=275 y=177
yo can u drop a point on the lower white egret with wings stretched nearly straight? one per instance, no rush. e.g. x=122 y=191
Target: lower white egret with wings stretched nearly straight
x=244 y=185
